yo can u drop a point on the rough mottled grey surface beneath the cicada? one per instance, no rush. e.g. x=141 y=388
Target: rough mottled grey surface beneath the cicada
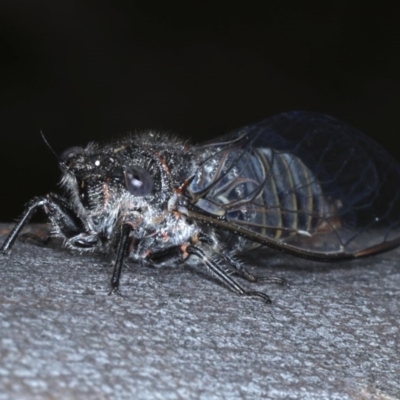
x=334 y=334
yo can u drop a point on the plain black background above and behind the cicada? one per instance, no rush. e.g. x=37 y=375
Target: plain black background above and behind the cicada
x=90 y=70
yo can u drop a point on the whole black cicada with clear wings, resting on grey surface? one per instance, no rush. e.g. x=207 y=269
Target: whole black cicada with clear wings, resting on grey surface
x=298 y=182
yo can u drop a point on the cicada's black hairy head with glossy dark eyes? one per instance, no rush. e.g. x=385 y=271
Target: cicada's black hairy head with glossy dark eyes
x=104 y=182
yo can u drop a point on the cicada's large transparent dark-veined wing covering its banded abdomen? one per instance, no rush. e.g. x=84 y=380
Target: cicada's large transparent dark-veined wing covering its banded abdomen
x=302 y=182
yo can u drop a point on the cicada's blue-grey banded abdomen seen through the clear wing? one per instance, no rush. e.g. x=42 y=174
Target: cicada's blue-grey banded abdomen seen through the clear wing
x=272 y=193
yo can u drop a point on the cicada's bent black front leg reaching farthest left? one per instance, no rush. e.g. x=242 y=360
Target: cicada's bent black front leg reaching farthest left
x=56 y=209
